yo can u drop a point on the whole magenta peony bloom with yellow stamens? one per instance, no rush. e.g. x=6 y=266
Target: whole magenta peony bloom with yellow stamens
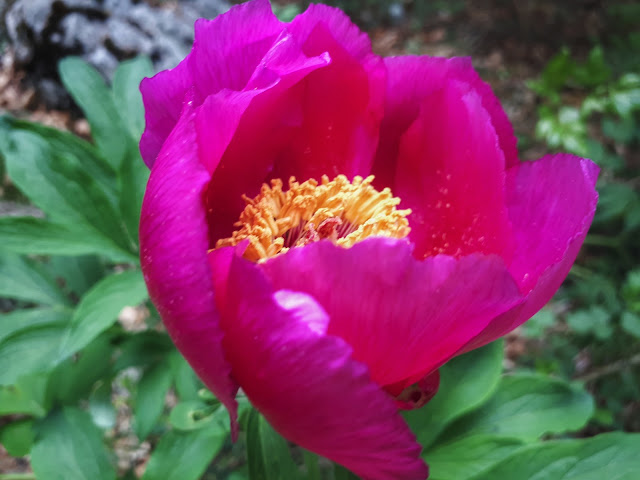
x=324 y=228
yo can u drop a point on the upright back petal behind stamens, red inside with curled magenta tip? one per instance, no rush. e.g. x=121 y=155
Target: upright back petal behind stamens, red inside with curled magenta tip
x=342 y=104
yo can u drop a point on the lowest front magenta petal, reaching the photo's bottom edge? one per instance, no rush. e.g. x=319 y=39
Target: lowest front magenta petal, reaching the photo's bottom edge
x=304 y=382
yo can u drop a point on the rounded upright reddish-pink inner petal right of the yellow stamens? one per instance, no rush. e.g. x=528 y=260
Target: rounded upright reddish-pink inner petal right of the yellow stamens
x=450 y=172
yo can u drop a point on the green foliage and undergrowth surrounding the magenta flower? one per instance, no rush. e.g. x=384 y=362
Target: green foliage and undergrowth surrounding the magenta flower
x=89 y=389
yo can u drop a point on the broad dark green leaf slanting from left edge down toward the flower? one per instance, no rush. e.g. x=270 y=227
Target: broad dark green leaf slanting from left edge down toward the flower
x=58 y=184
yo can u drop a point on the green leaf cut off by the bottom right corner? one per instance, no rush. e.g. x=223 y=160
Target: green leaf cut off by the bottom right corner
x=613 y=456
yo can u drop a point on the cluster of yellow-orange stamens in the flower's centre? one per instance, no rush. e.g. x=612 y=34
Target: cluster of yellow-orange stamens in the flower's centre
x=338 y=210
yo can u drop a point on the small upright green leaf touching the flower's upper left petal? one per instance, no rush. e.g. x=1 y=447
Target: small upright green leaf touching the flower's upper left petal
x=126 y=92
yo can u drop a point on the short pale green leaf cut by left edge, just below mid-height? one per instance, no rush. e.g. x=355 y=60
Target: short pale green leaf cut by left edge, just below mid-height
x=24 y=279
